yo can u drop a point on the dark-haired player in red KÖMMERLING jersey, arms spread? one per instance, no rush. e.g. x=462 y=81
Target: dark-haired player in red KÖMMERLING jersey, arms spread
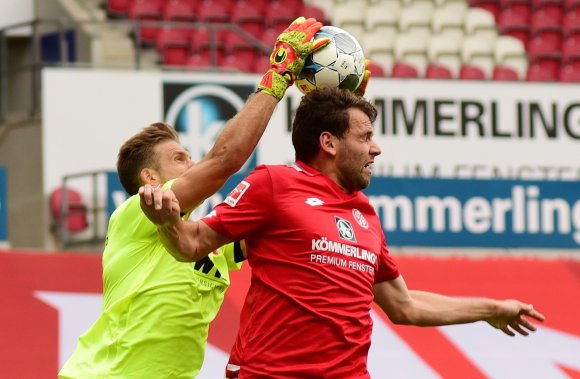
x=318 y=253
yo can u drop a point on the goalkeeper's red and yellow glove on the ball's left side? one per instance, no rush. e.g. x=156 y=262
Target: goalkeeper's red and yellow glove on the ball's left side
x=290 y=51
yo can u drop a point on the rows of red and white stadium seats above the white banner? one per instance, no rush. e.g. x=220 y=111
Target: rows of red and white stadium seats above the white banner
x=447 y=35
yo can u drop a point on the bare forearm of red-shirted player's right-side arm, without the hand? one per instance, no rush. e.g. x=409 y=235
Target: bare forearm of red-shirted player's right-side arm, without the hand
x=431 y=309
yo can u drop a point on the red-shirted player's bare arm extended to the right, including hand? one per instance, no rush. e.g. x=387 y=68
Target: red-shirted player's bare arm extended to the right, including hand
x=424 y=308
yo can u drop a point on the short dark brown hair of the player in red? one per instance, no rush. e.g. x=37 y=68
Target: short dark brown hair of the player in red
x=324 y=110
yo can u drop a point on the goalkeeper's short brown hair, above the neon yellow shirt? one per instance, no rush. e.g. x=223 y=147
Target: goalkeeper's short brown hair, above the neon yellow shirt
x=138 y=152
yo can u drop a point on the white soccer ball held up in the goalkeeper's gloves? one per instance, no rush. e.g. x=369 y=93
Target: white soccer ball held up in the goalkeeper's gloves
x=341 y=63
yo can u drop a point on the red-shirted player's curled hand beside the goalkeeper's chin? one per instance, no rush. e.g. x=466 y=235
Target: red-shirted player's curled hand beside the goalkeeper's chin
x=160 y=206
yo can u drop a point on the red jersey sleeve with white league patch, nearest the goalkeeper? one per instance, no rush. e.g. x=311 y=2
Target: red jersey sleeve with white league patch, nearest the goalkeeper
x=246 y=210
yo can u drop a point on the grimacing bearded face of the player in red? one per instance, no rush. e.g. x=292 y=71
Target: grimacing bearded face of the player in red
x=356 y=152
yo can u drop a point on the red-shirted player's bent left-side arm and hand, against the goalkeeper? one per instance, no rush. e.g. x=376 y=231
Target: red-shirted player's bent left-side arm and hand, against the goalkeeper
x=185 y=240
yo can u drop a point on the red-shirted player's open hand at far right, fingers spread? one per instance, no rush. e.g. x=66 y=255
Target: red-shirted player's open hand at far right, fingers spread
x=512 y=316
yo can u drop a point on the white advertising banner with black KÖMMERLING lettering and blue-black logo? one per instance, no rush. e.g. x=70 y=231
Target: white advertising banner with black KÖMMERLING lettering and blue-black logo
x=425 y=128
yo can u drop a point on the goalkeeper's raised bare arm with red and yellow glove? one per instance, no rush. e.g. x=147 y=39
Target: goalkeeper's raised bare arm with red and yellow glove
x=237 y=141
